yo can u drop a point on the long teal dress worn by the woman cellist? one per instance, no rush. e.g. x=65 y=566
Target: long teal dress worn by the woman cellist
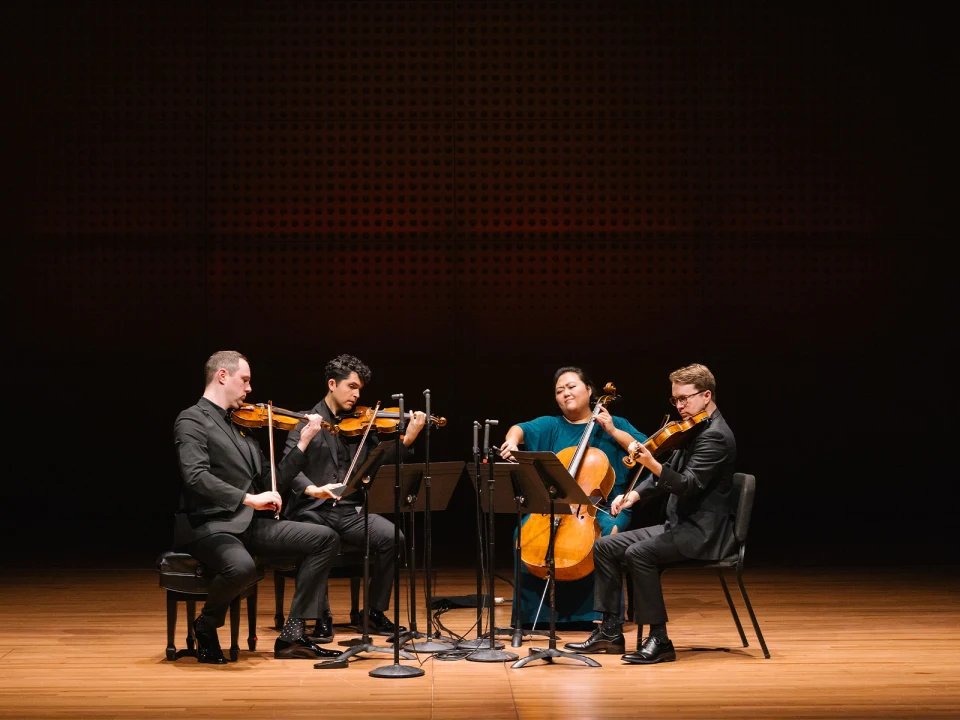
x=574 y=598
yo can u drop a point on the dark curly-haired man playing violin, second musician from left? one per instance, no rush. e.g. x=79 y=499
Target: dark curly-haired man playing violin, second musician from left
x=328 y=458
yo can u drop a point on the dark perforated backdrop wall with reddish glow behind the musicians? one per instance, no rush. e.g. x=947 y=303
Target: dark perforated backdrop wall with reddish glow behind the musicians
x=468 y=195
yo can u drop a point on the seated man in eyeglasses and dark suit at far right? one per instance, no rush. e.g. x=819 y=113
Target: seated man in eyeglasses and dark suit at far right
x=698 y=477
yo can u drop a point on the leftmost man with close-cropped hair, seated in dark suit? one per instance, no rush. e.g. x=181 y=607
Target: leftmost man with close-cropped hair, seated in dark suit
x=227 y=511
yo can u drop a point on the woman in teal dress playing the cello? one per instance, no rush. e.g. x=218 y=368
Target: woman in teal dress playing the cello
x=612 y=435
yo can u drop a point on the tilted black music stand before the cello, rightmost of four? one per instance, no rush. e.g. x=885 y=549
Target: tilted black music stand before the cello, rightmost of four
x=544 y=481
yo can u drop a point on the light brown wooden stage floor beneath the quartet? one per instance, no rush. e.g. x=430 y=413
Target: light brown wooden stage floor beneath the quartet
x=864 y=643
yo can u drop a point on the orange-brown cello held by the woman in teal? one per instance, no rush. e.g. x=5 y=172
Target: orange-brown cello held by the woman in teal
x=575 y=533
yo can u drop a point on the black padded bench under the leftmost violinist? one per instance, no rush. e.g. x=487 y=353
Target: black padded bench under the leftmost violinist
x=185 y=580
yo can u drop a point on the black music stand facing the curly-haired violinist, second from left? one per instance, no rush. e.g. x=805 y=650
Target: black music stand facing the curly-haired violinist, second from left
x=412 y=477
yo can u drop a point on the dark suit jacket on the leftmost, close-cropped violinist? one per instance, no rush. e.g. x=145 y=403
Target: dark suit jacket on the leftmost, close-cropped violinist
x=219 y=467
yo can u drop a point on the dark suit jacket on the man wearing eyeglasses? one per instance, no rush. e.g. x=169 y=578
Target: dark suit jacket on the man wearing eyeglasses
x=699 y=478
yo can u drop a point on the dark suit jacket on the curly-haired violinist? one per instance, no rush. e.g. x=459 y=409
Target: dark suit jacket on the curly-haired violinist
x=322 y=465
